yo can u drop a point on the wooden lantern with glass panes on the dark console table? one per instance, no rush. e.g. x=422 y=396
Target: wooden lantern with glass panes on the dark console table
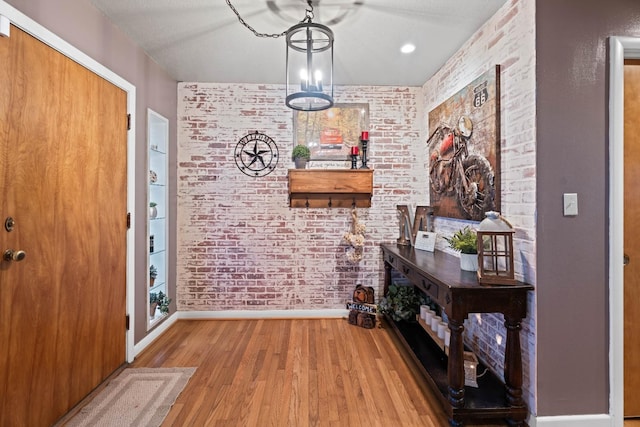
x=495 y=250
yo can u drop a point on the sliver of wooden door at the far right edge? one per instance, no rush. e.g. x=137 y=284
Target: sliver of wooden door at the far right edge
x=632 y=238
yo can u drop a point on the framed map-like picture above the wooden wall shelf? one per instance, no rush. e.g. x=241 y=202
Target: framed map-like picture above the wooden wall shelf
x=331 y=133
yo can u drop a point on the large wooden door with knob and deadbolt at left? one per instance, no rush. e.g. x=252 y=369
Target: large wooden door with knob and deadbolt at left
x=63 y=146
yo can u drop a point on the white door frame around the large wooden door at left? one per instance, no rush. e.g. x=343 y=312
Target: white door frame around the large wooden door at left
x=36 y=30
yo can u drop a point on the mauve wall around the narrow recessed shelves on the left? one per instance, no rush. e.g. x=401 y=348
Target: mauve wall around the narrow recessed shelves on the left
x=79 y=23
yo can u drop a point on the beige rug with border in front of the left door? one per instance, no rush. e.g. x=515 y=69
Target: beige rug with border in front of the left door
x=136 y=397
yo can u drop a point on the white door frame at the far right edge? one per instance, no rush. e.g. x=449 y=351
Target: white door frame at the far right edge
x=620 y=48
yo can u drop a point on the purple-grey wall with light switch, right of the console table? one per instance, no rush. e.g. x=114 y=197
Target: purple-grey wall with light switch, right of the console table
x=572 y=252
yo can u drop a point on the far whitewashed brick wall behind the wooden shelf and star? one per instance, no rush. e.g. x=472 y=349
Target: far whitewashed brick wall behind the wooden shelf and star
x=239 y=245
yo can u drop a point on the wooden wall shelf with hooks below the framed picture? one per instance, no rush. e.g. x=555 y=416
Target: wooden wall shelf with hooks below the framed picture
x=330 y=188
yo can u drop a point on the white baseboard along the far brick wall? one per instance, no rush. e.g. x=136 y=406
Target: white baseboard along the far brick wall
x=265 y=314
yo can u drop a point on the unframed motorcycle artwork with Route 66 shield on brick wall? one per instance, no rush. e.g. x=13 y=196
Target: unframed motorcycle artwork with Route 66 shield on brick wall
x=464 y=150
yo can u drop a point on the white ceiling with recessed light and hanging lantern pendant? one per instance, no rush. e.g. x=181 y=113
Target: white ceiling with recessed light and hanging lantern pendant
x=203 y=41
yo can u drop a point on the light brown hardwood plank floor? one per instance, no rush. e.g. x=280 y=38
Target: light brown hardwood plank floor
x=302 y=372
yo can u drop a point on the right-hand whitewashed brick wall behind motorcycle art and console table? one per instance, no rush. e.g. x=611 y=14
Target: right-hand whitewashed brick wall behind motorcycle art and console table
x=508 y=39
